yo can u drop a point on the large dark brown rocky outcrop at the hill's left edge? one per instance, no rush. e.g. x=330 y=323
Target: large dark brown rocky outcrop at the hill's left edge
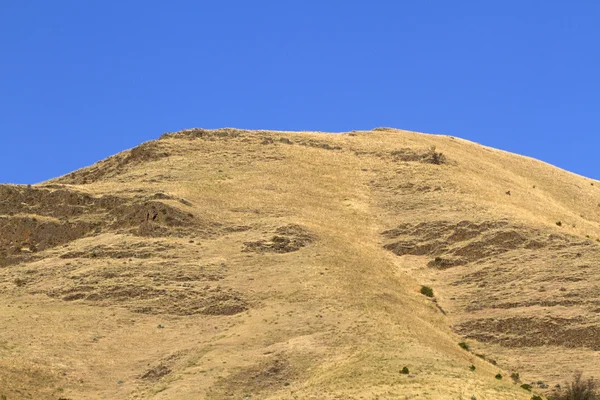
x=36 y=219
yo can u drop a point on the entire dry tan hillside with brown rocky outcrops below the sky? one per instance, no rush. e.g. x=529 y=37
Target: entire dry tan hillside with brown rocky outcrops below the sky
x=234 y=264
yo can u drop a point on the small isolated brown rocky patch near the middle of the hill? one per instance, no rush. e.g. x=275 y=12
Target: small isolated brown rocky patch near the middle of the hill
x=287 y=239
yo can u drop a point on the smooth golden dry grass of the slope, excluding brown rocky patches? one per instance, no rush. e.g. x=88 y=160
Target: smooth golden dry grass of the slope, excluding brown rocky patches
x=338 y=318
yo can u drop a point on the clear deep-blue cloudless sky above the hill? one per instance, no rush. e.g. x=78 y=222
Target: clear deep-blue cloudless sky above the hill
x=82 y=80
